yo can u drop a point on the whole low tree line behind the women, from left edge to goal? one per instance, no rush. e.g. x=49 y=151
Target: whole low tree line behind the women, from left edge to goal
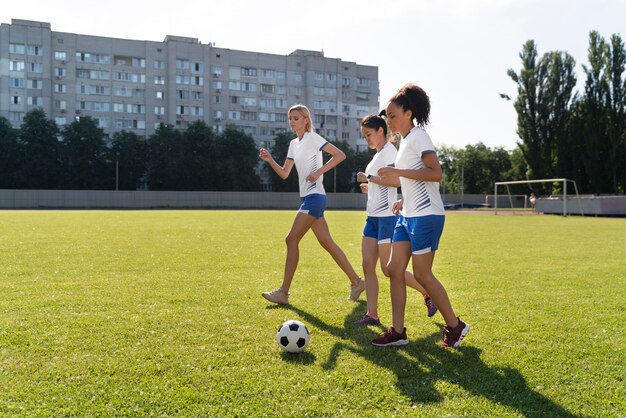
x=79 y=156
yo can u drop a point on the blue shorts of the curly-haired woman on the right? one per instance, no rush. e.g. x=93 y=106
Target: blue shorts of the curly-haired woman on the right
x=422 y=231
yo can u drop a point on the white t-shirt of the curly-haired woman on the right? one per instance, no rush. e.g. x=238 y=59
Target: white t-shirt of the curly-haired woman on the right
x=419 y=198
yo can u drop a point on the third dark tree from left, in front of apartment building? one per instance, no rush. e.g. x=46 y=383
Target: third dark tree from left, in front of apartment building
x=84 y=157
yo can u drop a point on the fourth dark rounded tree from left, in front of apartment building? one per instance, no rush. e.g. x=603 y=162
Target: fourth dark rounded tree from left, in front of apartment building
x=129 y=153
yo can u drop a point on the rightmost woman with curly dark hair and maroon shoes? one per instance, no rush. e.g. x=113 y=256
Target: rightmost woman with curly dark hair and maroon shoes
x=420 y=224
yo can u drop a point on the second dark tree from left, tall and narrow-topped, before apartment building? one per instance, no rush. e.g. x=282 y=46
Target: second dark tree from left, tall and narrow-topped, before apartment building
x=41 y=167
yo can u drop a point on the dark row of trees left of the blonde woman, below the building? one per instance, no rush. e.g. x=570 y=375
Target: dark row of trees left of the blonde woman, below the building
x=78 y=156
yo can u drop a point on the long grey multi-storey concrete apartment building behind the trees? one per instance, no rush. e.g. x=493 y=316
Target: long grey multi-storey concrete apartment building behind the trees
x=137 y=85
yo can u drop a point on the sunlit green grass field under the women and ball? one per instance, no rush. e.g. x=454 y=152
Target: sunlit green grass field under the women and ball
x=159 y=313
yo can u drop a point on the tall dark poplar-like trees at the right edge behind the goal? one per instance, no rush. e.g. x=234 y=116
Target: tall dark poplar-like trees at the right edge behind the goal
x=569 y=134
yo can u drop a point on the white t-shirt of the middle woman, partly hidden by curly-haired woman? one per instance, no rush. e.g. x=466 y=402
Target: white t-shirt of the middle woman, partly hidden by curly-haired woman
x=380 y=198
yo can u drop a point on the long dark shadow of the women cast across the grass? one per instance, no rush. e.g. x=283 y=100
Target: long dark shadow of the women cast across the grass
x=419 y=365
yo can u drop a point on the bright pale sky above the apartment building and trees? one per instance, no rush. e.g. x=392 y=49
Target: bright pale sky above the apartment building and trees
x=459 y=51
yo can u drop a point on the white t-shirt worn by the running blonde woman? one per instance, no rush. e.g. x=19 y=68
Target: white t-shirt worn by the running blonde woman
x=307 y=156
